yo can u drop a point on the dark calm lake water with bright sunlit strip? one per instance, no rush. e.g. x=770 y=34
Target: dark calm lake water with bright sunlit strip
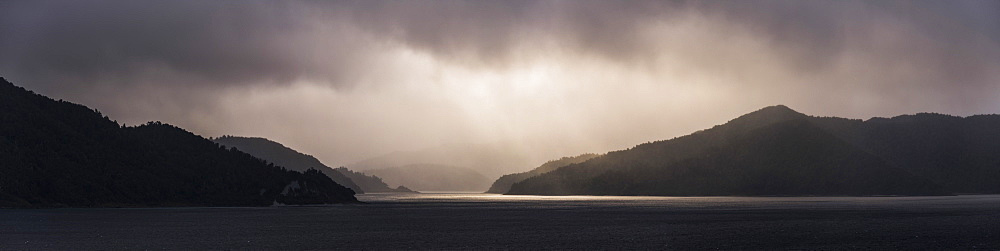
x=478 y=221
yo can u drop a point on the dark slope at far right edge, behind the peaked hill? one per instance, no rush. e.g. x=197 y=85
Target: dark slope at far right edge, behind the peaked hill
x=962 y=154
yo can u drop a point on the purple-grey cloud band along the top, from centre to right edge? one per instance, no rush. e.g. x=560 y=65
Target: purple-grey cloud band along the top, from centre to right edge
x=812 y=32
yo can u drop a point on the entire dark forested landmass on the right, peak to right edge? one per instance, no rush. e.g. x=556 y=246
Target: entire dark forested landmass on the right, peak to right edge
x=777 y=151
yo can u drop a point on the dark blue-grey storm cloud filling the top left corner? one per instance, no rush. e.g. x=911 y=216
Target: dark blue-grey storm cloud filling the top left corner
x=221 y=42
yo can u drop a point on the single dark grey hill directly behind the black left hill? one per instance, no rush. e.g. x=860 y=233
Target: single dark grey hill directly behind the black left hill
x=286 y=157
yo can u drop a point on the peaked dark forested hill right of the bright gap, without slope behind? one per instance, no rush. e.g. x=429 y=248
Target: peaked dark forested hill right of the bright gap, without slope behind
x=773 y=151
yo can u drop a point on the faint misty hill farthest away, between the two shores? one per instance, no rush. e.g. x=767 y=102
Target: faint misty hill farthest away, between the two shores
x=429 y=177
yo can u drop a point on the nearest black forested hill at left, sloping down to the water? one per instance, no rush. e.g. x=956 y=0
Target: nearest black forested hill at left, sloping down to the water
x=58 y=154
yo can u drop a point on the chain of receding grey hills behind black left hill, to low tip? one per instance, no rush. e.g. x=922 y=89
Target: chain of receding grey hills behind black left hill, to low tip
x=281 y=155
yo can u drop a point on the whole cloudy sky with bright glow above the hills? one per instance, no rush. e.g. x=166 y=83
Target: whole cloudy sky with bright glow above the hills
x=349 y=80
